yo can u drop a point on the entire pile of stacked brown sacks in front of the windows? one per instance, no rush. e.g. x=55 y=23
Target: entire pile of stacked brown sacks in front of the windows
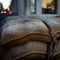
x=29 y=38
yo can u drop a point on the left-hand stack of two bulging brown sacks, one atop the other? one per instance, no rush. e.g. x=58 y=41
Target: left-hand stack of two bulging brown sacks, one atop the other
x=24 y=36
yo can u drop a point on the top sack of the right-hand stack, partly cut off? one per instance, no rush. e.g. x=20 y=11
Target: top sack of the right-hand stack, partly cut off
x=54 y=26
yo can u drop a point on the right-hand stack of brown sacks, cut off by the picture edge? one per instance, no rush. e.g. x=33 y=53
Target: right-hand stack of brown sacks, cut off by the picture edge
x=54 y=26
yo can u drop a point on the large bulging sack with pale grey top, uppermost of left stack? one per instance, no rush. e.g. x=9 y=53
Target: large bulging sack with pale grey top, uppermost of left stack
x=17 y=31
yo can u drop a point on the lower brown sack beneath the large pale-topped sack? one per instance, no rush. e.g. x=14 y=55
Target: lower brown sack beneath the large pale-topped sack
x=31 y=48
